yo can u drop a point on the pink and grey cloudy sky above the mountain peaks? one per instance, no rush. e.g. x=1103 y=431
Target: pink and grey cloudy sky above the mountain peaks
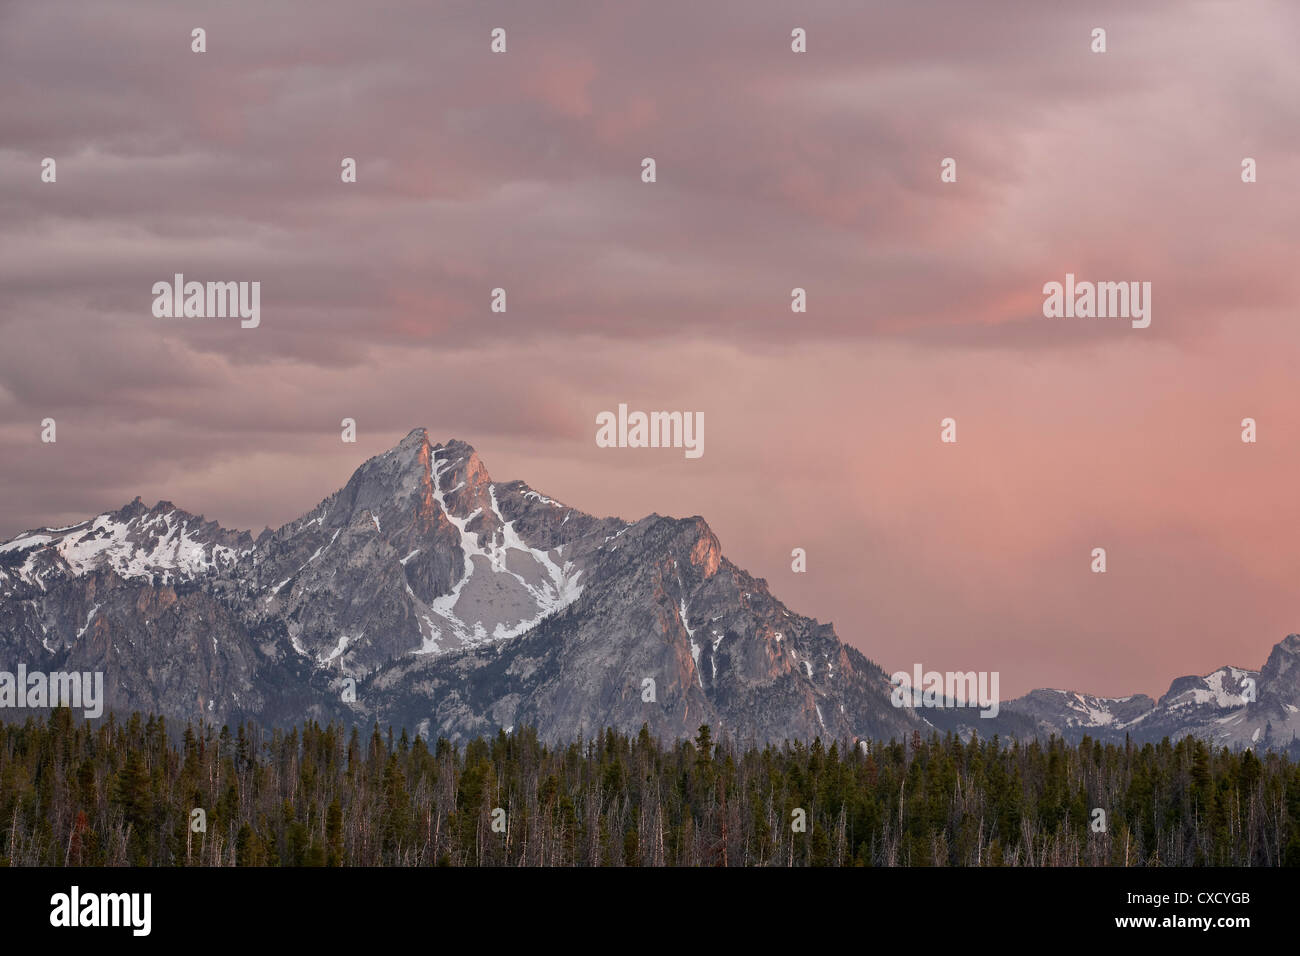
x=775 y=171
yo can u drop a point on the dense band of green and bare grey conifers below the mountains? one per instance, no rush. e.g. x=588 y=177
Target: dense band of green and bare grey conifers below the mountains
x=118 y=794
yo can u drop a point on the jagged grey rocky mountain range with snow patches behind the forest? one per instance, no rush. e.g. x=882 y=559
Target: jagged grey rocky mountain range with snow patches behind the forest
x=426 y=596
